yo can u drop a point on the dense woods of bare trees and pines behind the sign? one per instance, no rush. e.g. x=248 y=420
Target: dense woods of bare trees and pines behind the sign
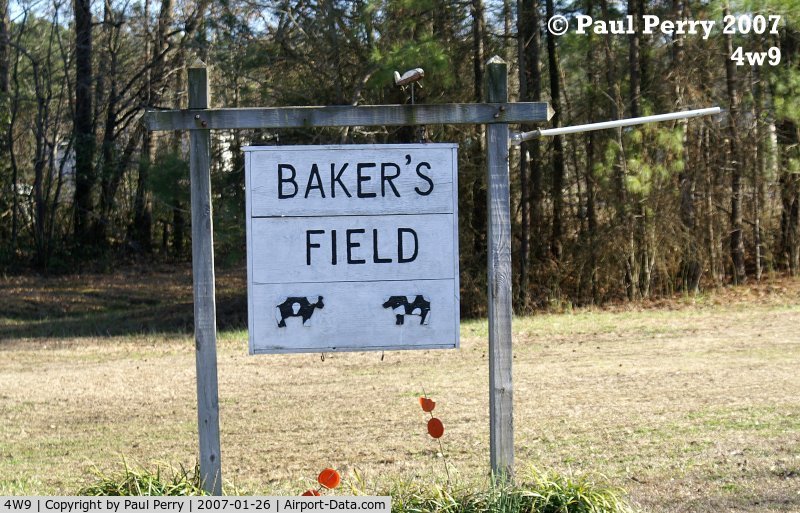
x=596 y=217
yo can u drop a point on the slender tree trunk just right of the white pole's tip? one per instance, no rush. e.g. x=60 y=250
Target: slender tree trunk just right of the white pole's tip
x=737 y=238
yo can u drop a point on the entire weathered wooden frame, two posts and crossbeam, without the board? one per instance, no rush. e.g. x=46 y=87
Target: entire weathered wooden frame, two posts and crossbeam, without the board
x=497 y=113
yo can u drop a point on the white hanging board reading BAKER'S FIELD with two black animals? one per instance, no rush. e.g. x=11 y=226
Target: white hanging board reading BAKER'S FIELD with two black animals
x=352 y=248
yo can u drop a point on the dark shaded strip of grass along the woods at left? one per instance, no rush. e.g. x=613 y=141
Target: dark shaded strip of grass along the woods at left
x=125 y=302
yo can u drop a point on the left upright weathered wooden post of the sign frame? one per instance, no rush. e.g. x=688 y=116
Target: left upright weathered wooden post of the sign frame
x=205 y=324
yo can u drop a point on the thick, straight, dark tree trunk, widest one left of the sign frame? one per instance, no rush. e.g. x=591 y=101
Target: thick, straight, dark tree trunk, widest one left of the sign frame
x=84 y=129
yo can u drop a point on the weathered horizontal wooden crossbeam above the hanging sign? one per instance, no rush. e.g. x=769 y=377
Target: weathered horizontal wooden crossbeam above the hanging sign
x=346 y=115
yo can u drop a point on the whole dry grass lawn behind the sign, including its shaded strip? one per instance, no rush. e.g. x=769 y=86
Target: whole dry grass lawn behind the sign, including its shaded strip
x=688 y=404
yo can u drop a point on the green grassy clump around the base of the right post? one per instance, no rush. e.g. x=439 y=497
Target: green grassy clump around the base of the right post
x=539 y=493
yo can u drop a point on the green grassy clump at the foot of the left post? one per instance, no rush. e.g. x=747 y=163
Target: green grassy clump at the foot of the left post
x=164 y=480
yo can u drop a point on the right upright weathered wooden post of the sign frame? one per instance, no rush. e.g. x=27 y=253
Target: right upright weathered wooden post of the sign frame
x=501 y=390
